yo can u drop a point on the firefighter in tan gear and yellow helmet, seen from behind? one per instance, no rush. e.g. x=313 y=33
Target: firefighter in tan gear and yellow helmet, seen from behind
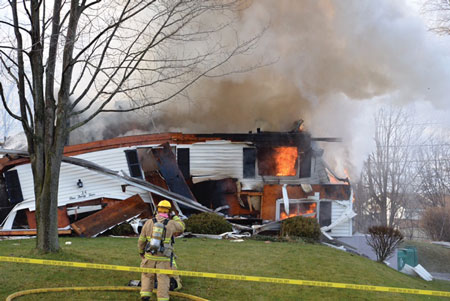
x=156 y=250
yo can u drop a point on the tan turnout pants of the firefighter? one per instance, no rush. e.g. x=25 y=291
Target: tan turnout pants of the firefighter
x=148 y=280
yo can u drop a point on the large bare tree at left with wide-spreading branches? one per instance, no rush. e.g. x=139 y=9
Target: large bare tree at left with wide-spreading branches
x=77 y=58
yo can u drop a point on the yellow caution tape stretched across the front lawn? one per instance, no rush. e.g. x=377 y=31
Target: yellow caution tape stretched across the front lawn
x=84 y=265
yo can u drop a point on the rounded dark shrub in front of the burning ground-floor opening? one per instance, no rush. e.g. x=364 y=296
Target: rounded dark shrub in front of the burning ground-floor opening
x=299 y=226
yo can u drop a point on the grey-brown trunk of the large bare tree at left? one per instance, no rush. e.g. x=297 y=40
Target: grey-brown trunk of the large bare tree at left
x=50 y=133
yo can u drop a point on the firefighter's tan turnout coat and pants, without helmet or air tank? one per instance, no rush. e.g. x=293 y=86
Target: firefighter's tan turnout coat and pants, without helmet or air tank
x=158 y=260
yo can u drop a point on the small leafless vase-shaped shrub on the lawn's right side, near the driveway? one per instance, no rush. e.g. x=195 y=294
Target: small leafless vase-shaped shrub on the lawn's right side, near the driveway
x=383 y=240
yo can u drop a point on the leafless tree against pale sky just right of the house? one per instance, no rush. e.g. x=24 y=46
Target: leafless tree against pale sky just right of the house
x=387 y=172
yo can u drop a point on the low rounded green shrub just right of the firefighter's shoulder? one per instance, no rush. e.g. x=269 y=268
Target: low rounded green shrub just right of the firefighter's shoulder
x=207 y=223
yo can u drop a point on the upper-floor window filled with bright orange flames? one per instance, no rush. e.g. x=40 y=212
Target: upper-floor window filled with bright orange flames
x=278 y=161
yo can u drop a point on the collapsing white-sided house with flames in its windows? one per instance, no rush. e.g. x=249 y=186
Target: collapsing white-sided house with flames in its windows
x=250 y=178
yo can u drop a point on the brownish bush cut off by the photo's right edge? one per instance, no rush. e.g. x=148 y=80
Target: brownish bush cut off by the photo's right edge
x=436 y=223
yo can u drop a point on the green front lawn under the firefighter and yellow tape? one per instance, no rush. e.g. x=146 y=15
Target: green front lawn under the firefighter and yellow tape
x=275 y=259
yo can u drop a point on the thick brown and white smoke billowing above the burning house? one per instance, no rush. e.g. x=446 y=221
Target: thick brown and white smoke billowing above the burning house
x=332 y=62
